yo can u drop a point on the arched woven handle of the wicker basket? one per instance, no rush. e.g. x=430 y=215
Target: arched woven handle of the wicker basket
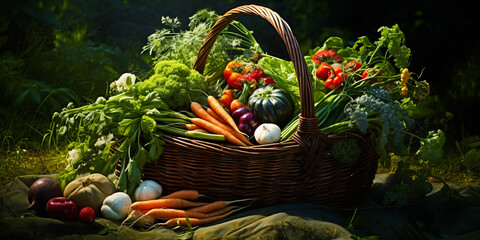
x=308 y=121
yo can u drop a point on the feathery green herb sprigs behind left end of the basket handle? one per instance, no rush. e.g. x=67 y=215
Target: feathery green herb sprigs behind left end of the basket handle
x=172 y=43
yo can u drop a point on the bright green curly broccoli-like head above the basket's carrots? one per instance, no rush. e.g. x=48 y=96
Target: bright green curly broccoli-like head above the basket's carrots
x=177 y=84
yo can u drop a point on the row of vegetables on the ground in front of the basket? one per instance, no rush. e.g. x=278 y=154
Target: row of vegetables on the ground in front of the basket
x=87 y=197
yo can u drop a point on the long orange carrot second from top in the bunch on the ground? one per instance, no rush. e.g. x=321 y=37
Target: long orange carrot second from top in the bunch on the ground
x=165 y=203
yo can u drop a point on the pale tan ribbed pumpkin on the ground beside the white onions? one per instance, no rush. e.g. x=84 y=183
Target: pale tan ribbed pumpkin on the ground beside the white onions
x=89 y=191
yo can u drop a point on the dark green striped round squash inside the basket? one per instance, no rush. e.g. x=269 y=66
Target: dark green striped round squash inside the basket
x=271 y=104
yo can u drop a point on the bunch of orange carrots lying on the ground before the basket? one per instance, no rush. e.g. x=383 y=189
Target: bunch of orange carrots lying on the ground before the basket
x=179 y=208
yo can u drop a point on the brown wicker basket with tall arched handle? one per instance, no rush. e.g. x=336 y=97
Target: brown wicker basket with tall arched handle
x=300 y=169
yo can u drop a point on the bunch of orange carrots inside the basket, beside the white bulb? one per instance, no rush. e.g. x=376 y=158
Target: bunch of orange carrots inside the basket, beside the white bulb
x=215 y=119
